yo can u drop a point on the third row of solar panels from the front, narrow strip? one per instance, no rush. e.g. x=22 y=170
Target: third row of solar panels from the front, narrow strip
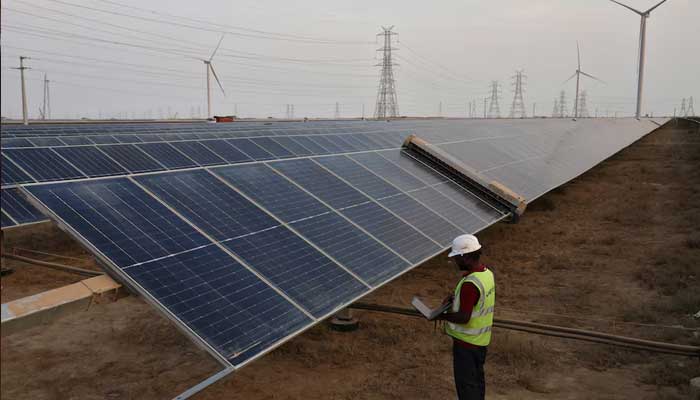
x=106 y=138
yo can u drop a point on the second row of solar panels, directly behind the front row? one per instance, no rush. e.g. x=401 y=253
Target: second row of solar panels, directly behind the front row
x=26 y=165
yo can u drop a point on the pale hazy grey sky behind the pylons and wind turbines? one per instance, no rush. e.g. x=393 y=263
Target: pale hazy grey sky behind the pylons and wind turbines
x=140 y=58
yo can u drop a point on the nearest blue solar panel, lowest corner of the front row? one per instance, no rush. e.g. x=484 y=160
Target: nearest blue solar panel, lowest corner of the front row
x=223 y=302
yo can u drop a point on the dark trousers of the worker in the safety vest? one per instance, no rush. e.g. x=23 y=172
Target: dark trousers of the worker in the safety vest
x=468 y=365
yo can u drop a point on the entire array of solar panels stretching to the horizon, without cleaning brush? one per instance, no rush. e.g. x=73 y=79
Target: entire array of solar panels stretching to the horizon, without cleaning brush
x=246 y=242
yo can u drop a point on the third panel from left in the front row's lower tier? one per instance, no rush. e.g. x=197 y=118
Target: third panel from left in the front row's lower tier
x=353 y=248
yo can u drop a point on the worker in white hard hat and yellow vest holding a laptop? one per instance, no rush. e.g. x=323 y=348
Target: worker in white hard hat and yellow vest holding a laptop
x=471 y=317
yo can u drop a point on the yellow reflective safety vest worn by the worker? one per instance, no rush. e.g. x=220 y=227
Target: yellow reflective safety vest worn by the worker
x=478 y=330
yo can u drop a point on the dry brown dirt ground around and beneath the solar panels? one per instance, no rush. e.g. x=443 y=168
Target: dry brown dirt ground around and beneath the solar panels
x=616 y=250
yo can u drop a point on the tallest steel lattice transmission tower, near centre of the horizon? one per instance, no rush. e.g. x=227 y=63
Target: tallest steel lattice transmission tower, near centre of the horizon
x=387 y=104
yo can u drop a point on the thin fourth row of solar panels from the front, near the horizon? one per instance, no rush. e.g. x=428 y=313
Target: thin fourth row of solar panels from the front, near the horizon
x=100 y=129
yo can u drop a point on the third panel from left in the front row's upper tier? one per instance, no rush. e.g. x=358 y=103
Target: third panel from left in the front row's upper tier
x=272 y=191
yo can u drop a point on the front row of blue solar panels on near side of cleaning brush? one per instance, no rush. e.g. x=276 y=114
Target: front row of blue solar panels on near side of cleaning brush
x=246 y=255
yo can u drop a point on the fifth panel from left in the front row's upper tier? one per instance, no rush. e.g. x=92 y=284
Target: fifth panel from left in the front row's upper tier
x=358 y=176
